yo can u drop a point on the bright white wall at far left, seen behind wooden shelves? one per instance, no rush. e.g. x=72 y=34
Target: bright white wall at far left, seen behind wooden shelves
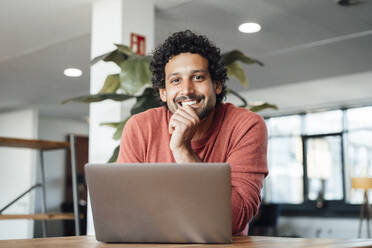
x=17 y=172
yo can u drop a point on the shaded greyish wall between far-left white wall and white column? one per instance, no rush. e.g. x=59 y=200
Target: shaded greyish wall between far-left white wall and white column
x=55 y=161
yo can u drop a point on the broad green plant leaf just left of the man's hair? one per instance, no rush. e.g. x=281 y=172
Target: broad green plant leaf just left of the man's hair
x=135 y=73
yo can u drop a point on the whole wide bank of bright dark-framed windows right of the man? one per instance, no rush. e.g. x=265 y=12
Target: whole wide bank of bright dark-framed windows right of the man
x=315 y=155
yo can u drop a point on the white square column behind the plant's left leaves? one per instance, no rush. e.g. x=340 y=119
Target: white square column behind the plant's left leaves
x=112 y=22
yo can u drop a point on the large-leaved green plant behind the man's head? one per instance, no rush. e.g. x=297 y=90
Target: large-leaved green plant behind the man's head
x=134 y=81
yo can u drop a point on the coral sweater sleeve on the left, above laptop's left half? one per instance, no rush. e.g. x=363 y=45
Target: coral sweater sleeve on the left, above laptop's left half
x=131 y=144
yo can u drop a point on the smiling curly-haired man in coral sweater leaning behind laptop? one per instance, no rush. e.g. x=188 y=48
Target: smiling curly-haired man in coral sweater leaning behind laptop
x=195 y=126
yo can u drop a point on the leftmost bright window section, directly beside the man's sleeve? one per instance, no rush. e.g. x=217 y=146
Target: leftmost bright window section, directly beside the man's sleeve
x=285 y=161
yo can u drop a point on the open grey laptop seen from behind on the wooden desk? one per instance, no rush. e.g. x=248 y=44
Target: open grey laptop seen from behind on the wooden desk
x=161 y=202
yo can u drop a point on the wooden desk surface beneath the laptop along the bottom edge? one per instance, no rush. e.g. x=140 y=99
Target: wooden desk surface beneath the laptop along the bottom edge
x=241 y=242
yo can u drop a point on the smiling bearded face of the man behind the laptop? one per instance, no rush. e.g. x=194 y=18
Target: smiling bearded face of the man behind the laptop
x=188 y=81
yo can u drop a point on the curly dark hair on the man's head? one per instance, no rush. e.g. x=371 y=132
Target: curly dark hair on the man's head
x=188 y=42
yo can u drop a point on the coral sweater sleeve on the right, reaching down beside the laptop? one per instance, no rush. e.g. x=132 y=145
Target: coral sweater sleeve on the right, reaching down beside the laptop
x=248 y=169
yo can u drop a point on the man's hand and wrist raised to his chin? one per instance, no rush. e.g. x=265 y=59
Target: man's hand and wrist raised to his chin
x=182 y=126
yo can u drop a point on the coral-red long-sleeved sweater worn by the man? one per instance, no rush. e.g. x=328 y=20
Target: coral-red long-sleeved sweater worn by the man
x=237 y=136
